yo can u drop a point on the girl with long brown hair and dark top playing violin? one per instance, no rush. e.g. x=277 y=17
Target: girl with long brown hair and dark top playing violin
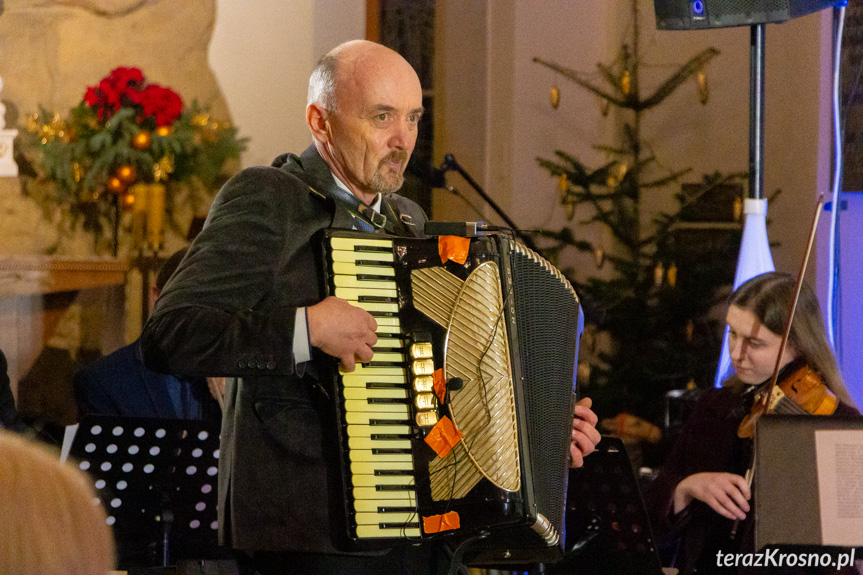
x=701 y=490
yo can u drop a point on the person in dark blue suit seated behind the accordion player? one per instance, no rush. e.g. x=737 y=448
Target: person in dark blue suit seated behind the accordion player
x=120 y=384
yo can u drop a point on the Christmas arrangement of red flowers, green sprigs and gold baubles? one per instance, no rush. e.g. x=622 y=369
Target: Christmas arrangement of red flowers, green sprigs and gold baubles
x=127 y=131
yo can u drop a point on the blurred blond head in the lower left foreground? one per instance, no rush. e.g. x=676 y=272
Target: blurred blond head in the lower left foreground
x=50 y=520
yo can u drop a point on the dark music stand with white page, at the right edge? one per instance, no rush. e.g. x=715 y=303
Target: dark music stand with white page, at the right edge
x=788 y=505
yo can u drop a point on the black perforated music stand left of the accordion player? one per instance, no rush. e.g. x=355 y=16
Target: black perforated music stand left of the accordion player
x=157 y=481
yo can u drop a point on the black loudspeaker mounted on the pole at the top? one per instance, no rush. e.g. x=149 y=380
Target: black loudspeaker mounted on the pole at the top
x=698 y=14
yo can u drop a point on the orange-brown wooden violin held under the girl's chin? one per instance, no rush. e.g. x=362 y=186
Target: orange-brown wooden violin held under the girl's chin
x=798 y=391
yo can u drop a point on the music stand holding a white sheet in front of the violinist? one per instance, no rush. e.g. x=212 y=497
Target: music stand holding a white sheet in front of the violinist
x=786 y=456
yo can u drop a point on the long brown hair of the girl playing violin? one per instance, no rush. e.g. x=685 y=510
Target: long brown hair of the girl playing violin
x=768 y=297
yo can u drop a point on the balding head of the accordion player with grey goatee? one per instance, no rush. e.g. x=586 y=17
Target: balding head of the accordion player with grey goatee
x=364 y=106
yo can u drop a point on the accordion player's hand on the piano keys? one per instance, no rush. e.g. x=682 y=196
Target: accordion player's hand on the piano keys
x=343 y=331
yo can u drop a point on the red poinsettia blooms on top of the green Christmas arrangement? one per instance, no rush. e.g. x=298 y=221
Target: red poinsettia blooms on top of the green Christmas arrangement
x=126 y=87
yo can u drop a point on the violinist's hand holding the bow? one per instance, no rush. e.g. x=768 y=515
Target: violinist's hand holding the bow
x=726 y=493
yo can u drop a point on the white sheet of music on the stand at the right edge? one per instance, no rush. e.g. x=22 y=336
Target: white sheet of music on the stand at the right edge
x=839 y=456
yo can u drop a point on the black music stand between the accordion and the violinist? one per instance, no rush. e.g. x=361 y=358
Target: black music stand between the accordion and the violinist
x=607 y=528
